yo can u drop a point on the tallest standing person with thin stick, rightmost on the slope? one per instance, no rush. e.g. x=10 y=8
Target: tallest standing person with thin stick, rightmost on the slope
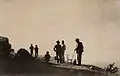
x=79 y=50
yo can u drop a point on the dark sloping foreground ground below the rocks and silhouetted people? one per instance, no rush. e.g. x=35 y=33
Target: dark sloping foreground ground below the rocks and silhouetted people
x=36 y=67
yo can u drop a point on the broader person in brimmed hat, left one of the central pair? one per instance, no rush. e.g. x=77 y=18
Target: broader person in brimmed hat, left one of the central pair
x=58 y=49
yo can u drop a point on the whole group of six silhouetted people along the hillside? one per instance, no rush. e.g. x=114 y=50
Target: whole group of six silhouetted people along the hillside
x=60 y=51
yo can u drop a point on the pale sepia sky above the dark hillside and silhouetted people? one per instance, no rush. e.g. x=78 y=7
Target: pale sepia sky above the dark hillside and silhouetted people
x=42 y=22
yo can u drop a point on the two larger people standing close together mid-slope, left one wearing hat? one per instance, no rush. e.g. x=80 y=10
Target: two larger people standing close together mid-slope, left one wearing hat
x=60 y=51
